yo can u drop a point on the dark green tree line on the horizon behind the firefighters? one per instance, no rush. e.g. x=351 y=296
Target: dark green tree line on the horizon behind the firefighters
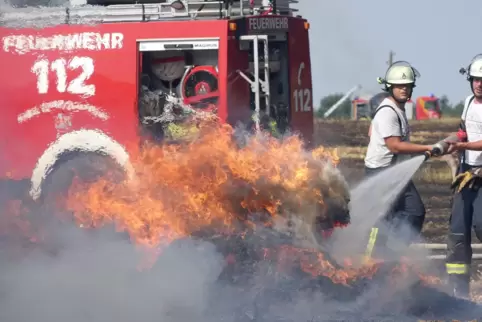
x=448 y=108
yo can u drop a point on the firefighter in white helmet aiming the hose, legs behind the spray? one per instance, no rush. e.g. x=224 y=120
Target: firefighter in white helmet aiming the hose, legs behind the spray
x=390 y=144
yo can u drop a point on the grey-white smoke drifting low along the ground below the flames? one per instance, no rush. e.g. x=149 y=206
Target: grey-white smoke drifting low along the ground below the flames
x=82 y=275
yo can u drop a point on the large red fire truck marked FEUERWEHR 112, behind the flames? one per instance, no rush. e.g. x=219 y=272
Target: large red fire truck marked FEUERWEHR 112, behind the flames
x=73 y=78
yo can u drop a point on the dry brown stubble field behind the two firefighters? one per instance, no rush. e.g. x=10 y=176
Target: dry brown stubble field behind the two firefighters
x=433 y=179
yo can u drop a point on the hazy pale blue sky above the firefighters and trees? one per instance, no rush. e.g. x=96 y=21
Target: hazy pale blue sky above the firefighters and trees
x=351 y=40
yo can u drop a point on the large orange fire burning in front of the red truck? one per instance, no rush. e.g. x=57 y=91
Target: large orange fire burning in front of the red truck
x=215 y=186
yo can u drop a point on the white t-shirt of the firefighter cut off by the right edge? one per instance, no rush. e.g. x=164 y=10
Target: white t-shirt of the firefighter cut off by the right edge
x=472 y=115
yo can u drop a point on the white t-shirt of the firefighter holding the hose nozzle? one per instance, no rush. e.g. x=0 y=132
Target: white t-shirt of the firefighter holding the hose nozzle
x=386 y=123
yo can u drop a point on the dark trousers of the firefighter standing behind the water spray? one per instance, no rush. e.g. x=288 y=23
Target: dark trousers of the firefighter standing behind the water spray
x=404 y=220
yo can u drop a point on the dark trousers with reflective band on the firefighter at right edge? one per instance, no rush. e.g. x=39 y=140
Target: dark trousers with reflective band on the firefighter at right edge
x=466 y=213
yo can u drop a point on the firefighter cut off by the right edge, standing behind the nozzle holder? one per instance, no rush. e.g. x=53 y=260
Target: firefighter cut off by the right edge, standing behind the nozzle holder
x=467 y=199
